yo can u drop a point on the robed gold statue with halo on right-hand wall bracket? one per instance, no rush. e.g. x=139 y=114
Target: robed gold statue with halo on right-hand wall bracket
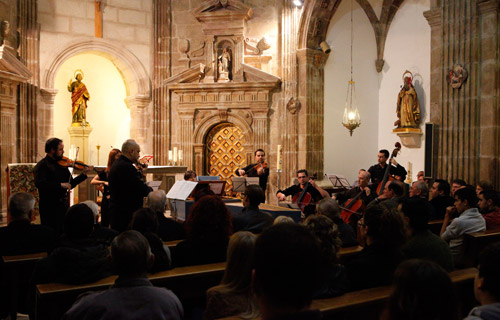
x=408 y=109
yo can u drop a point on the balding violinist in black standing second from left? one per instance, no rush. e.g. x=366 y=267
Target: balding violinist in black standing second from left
x=126 y=187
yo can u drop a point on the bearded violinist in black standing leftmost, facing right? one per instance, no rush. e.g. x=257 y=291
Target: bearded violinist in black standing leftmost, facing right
x=53 y=182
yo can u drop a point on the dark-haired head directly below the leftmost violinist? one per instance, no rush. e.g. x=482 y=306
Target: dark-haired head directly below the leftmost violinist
x=79 y=222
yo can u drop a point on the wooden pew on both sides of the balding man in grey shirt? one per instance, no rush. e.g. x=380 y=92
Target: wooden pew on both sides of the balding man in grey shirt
x=188 y=283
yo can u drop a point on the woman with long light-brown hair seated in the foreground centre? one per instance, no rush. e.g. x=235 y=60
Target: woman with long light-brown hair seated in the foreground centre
x=234 y=296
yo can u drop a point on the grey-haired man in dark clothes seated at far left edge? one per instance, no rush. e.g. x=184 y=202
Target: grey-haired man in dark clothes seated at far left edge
x=20 y=236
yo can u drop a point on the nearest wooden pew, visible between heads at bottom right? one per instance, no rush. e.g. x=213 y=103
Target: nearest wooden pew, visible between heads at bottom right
x=368 y=304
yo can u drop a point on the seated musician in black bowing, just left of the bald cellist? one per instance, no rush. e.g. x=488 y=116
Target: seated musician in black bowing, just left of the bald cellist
x=316 y=192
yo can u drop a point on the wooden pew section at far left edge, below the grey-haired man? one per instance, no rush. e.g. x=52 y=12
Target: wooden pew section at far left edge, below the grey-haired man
x=15 y=280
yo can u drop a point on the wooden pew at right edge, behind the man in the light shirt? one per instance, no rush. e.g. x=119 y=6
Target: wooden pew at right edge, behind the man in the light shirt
x=474 y=243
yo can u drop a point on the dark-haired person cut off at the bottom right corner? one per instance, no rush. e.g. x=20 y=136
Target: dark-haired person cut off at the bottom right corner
x=487 y=285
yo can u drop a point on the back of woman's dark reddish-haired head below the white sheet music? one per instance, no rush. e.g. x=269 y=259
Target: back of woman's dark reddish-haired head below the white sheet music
x=209 y=219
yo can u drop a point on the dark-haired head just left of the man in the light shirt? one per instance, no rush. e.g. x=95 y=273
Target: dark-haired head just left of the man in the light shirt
x=417 y=213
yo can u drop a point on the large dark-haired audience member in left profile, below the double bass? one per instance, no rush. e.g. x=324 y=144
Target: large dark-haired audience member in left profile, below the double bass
x=382 y=231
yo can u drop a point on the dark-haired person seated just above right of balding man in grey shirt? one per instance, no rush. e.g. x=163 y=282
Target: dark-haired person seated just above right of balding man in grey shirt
x=146 y=222
